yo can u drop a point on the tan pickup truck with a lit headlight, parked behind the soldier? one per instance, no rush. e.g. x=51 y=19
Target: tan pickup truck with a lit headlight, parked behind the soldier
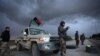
x=37 y=40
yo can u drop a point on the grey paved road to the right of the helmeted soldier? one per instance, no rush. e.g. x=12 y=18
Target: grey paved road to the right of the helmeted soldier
x=80 y=51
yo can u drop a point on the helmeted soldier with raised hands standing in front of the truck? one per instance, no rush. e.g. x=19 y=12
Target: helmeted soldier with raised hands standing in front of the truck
x=62 y=34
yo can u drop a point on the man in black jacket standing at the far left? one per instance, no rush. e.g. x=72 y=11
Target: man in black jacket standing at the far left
x=5 y=36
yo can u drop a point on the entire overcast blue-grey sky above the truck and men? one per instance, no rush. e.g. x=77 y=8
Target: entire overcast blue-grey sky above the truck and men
x=81 y=15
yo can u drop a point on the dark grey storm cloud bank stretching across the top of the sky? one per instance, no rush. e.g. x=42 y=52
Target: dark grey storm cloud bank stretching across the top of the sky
x=23 y=10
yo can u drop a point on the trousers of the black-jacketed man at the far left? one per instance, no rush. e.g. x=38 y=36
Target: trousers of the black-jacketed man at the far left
x=5 y=49
